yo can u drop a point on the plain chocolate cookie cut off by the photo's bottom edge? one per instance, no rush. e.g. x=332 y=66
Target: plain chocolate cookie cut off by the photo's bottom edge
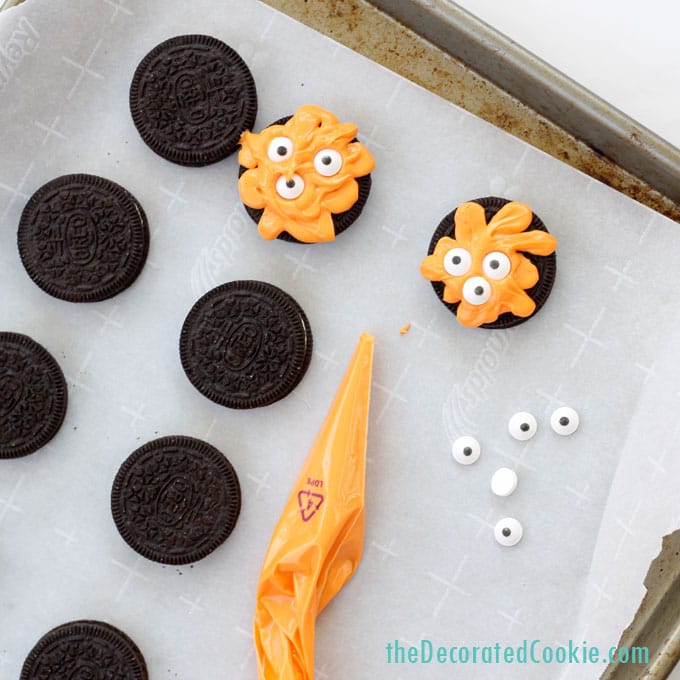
x=85 y=650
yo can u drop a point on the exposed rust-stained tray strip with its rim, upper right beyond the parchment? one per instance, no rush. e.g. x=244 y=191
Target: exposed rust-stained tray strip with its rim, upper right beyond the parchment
x=442 y=47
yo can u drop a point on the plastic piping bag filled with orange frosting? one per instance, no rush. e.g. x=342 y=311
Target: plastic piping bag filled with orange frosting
x=317 y=543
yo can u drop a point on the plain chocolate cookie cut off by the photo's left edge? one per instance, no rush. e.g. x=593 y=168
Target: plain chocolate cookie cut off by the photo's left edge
x=33 y=395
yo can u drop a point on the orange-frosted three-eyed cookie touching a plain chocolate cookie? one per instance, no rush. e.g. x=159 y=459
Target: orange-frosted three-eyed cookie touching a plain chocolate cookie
x=302 y=172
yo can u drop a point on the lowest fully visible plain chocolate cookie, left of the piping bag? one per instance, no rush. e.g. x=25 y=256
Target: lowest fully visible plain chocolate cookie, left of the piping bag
x=175 y=500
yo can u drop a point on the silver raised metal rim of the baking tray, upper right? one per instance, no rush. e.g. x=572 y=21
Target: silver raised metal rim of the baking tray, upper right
x=546 y=90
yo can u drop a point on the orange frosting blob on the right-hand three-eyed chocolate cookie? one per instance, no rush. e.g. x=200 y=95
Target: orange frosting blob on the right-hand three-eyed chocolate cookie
x=505 y=234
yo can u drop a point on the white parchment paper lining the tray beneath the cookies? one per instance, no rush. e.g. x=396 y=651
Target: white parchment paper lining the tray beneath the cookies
x=593 y=505
